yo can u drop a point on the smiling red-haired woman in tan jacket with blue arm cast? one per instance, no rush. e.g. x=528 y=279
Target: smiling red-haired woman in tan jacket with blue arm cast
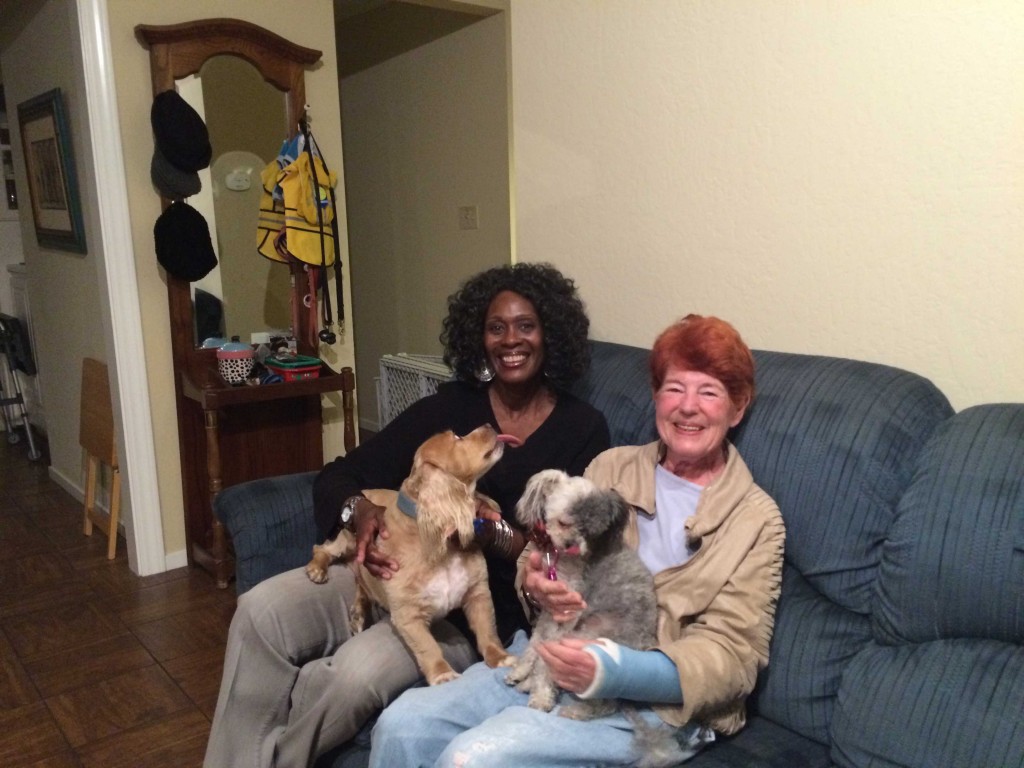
x=713 y=541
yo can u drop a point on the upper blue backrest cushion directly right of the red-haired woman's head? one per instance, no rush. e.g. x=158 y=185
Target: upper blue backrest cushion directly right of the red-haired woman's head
x=834 y=442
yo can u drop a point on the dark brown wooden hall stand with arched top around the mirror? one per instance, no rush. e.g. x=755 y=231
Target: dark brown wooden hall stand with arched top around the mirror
x=230 y=435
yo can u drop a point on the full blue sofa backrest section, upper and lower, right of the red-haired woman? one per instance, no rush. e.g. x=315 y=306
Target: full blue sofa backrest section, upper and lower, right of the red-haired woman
x=835 y=443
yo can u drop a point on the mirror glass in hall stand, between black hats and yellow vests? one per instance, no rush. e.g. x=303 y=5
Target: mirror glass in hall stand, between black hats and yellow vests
x=247 y=120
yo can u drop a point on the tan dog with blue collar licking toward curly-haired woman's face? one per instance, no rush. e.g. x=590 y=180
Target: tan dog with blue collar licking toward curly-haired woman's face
x=431 y=534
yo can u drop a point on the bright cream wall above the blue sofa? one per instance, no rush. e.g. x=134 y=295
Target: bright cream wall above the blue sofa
x=839 y=179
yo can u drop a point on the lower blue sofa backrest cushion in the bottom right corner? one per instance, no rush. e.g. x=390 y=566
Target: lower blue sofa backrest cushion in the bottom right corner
x=948 y=703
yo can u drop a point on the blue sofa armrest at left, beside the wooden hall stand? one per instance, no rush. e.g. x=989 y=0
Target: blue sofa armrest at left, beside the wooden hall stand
x=272 y=526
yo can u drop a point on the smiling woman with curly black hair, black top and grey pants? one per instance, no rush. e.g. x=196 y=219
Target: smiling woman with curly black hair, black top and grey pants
x=296 y=685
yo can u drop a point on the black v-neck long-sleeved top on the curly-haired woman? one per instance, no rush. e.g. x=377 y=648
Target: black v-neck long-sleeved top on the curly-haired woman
x=573 y=435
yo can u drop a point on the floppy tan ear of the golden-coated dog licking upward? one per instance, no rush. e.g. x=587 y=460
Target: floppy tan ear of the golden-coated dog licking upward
x=446 y=506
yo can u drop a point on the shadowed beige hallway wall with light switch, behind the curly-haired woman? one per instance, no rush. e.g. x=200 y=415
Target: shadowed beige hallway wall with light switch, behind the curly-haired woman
x=425 y=134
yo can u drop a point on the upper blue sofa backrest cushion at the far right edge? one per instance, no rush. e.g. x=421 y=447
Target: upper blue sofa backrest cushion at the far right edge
x=954 y=563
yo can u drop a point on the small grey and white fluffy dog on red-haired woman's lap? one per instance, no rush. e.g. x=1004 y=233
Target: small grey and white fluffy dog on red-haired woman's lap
x=616 y=585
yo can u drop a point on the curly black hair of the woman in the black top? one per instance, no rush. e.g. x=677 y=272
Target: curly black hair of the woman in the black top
x=564 y=319
